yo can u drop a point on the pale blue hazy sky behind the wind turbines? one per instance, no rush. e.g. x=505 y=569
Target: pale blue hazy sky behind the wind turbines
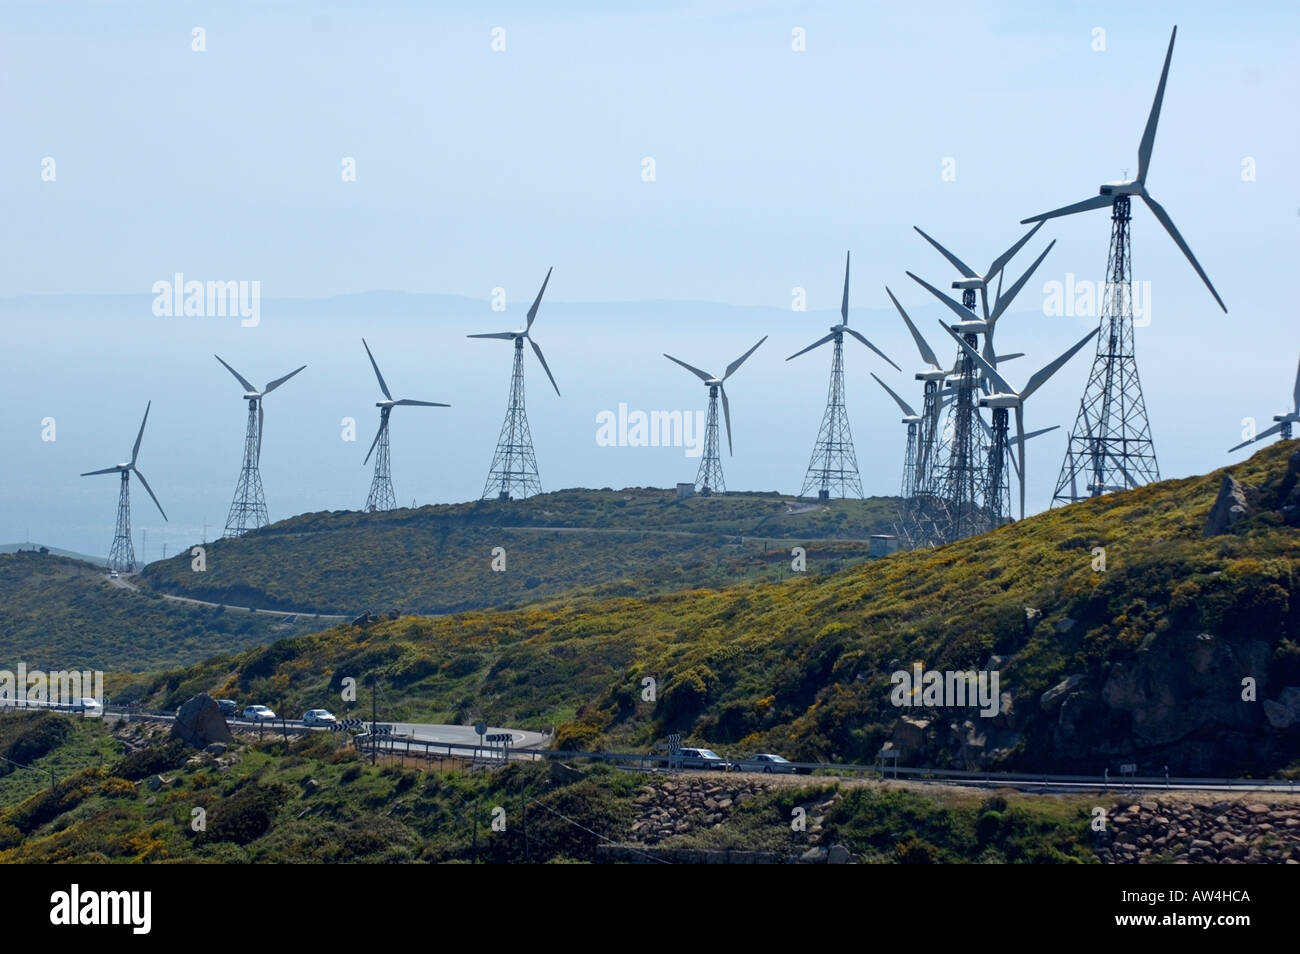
x=479 y=170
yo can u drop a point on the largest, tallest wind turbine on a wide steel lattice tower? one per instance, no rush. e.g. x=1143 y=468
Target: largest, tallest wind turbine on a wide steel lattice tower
x=1113 y=411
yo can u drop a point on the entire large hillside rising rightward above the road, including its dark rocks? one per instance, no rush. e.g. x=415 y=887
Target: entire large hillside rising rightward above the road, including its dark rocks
x=1146 y=658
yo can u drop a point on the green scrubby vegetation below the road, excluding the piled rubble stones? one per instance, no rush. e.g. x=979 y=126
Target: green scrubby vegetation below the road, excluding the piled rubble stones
x=259 y=810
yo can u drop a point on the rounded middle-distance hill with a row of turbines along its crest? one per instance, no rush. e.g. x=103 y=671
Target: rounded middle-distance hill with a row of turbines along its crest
x=599 y=543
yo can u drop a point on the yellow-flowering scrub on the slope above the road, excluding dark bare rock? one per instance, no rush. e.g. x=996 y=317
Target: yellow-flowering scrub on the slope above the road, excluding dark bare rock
x=804 y=666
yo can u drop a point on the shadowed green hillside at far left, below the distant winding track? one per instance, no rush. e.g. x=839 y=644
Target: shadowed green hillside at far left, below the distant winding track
x=63 y=614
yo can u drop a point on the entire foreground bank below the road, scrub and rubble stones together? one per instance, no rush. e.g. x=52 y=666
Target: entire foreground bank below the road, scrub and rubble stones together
x=125 y=793
